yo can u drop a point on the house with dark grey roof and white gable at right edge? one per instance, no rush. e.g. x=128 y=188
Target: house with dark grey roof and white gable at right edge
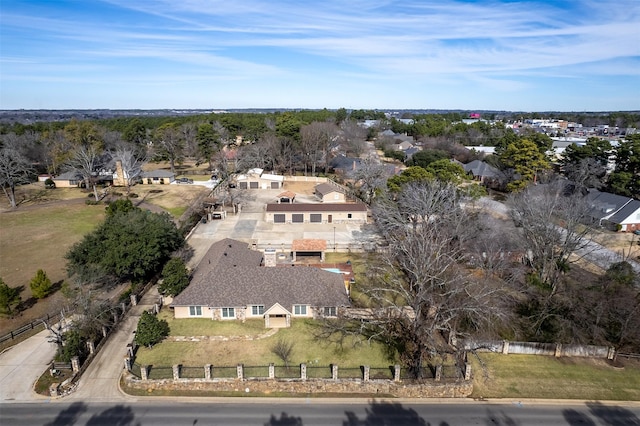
x=616 y=210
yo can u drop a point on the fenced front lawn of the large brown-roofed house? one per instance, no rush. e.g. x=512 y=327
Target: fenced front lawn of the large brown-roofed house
x=254 y=352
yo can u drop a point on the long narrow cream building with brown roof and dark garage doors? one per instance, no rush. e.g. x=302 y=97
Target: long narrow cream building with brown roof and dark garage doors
x=316 y=213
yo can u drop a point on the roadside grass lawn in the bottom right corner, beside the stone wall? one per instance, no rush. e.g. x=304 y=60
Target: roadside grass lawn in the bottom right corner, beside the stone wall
x=531 y=376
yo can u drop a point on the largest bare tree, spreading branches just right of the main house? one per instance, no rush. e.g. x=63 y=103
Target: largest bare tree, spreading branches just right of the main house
x=422 y=297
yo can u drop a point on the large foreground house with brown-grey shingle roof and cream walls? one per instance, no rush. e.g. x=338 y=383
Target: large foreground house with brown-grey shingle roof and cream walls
x=231 y=283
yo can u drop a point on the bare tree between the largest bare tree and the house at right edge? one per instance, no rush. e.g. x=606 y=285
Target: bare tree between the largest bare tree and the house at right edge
x=551 y=224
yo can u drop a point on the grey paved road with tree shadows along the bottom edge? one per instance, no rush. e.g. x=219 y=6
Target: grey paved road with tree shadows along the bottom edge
x=316 y=412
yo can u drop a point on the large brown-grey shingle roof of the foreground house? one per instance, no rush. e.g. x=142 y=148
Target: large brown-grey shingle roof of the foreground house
x=236 y=280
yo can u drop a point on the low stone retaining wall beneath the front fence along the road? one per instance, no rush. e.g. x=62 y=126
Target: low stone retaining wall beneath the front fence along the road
x=458 y=389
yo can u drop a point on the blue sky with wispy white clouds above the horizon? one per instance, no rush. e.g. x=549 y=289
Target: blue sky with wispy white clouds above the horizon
x=571 y=55
